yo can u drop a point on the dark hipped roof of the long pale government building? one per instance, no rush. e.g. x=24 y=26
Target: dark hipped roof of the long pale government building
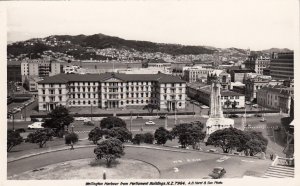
x=64 y=78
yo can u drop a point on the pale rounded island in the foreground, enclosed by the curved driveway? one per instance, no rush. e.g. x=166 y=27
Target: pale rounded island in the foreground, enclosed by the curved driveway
x=89 y=169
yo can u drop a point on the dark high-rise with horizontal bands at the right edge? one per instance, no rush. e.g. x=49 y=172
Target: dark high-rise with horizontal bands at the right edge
x=282 y=66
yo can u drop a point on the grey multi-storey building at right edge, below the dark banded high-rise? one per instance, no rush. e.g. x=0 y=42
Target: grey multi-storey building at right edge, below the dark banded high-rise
x=275 y=97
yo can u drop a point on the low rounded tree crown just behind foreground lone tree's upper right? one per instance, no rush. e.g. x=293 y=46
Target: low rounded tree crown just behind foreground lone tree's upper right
x=121 y=133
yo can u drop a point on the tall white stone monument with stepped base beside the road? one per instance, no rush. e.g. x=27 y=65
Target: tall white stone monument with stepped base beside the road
x=216 y=120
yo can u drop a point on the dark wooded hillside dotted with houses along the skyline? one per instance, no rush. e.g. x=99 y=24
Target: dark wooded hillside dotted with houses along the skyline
x=99 y=41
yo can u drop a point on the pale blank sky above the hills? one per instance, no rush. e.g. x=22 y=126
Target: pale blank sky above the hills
x=253 y=24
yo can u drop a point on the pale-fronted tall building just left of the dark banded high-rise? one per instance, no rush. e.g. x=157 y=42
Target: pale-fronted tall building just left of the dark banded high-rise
x=258 y=64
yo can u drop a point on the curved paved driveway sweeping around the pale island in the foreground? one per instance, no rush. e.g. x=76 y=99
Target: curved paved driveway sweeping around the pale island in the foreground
x=189 y=164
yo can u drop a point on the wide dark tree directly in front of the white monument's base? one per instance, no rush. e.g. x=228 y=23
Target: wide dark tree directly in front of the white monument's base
x=228 y=139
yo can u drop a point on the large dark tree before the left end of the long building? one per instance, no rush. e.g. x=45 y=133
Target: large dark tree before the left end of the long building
x=58 y=119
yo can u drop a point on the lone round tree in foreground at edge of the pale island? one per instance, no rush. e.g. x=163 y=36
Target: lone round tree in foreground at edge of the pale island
x=110 y=150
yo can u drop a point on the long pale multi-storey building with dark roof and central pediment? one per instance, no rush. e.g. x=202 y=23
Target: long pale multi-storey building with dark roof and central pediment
x=112 y=90
